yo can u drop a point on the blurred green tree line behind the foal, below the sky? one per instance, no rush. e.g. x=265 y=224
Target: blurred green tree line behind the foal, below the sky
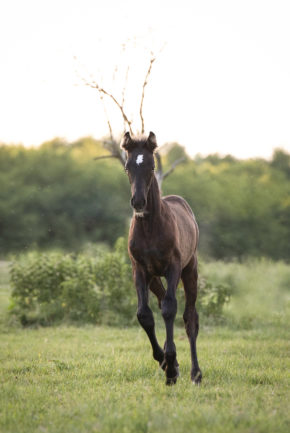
x=59 y=196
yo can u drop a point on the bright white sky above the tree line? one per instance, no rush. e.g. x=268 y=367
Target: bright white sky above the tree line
x=221 y=84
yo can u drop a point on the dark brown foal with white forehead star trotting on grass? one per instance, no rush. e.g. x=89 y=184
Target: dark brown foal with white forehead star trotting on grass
x=162 y=242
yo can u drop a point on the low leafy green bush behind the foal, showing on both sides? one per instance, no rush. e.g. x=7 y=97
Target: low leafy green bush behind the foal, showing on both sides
x=50 y=288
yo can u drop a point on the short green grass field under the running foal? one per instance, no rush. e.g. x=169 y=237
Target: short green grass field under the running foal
x=101 y=379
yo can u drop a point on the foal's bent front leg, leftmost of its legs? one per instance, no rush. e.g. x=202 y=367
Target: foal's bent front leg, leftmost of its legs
x=144 y=313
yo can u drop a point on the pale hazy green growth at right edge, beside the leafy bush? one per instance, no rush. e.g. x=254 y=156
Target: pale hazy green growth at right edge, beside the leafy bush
x=261 y=291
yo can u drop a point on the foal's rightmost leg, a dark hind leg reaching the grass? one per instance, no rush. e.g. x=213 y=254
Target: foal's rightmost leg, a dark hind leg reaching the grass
x=190 y=316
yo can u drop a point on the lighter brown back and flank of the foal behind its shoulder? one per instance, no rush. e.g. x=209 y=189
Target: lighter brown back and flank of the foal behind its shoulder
x=186 y=225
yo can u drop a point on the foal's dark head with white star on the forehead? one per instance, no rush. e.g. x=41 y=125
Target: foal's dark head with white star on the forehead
x=140 y=168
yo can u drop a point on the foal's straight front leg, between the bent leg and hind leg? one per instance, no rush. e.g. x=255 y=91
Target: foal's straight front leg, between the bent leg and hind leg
x=169 y=309
